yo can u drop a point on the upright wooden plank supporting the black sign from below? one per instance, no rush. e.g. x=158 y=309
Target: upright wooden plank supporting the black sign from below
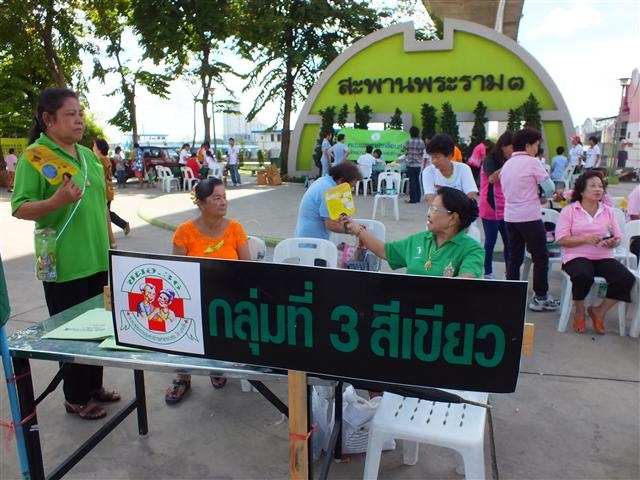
x=298 y=427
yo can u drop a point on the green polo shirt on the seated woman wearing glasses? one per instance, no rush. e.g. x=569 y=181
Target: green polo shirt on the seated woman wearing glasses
x=460 y=254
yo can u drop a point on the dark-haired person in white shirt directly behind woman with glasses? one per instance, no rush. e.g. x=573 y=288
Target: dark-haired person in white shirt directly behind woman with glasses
x=445 y=173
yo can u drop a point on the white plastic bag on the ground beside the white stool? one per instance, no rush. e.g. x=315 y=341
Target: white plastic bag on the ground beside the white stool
x=357 y=413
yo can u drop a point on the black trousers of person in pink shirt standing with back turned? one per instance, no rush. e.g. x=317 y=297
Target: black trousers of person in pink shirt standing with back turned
x=533 y=236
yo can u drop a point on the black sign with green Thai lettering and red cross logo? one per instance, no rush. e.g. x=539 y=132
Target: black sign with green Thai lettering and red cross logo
x=403 y=329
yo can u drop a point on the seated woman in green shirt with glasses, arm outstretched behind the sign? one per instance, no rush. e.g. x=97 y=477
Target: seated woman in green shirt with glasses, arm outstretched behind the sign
x=444 y=250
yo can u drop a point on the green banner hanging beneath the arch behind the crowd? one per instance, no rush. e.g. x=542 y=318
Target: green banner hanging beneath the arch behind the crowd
x=389 y=141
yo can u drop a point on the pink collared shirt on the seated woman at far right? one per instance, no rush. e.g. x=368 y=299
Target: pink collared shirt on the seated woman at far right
x=574 y=220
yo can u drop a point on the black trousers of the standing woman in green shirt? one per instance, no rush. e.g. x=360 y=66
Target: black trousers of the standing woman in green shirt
x=79 y=380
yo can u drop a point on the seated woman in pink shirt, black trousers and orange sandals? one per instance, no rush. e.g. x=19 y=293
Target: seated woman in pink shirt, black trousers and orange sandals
x=587 y=232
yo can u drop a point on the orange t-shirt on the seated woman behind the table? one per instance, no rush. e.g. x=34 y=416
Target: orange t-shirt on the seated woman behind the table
x=198 y=245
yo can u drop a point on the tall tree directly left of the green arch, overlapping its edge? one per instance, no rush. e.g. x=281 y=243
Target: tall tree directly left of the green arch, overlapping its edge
x=291 y=42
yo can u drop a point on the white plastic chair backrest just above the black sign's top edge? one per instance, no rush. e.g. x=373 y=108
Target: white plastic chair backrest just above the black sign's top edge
x=306 y=251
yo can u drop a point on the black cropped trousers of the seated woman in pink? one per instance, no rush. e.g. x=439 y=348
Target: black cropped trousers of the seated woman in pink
x=619 y=279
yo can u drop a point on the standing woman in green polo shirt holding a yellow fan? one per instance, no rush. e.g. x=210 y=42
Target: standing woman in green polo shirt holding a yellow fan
x=76 y=208
